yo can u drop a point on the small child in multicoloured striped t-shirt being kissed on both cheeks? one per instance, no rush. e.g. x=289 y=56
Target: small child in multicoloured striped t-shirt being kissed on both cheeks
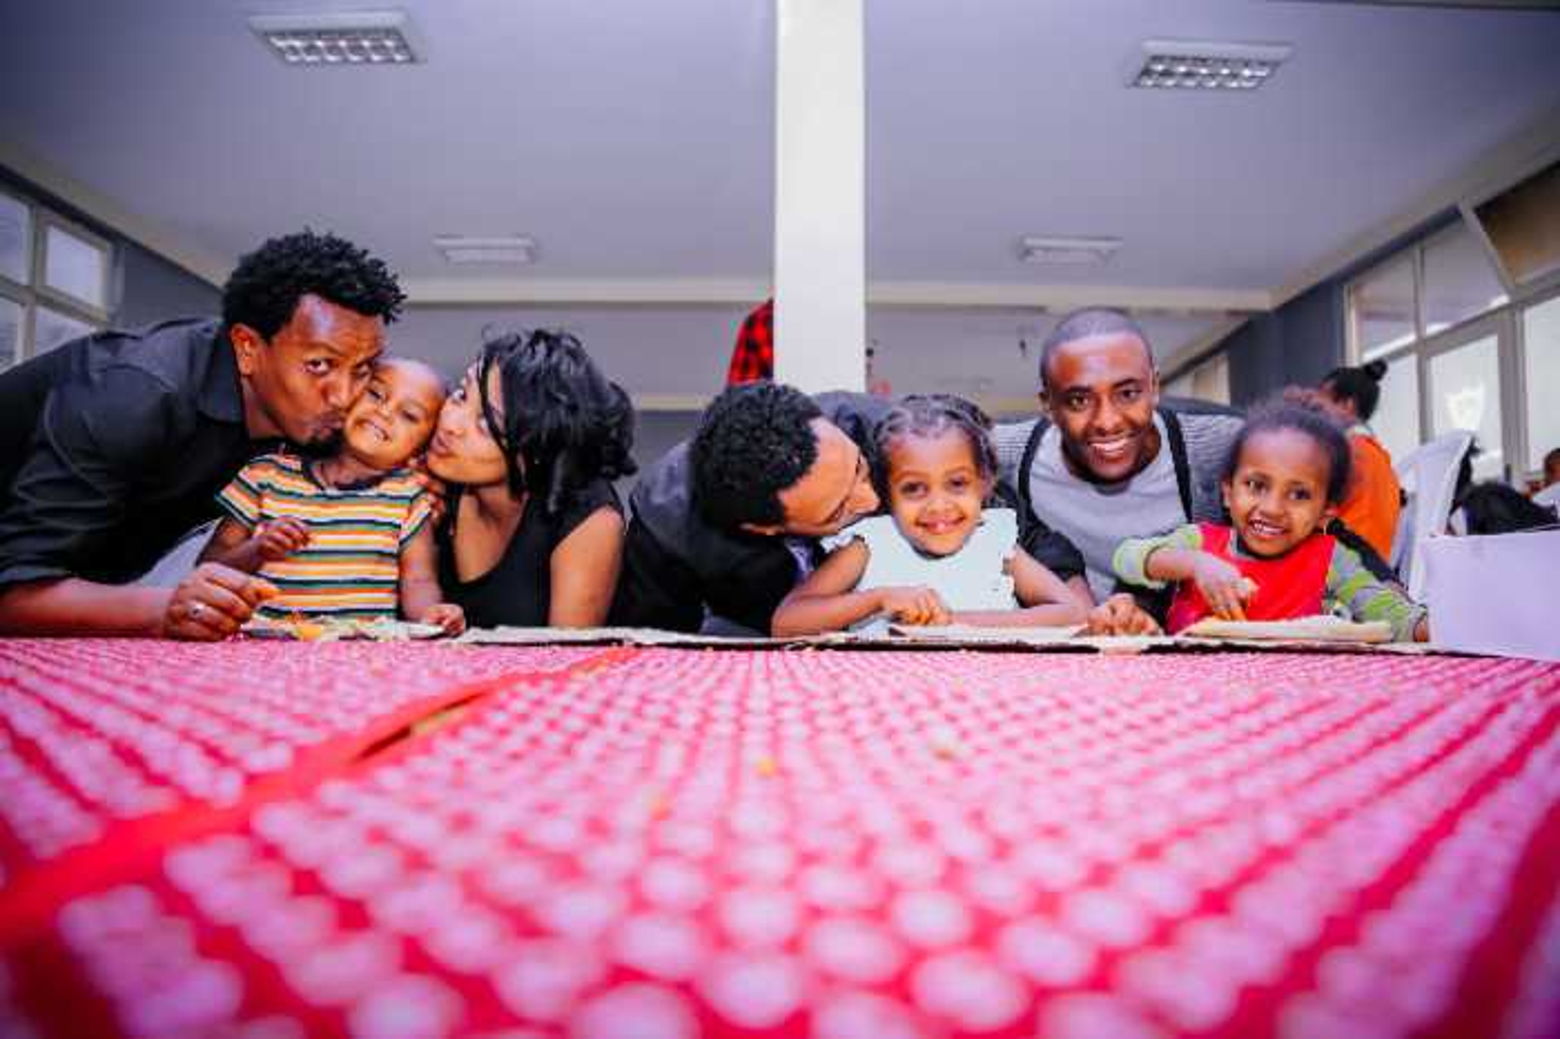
x=349 y=536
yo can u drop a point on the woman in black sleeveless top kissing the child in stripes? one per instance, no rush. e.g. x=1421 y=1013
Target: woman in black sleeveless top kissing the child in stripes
x=530 y=444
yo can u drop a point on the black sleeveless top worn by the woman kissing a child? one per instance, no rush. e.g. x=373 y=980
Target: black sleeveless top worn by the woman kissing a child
x=519 y=590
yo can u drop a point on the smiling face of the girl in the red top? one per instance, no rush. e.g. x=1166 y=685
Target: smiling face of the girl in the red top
x=1278 y=495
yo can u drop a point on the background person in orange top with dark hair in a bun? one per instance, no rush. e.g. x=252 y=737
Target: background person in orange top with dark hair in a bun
x=1374 y=502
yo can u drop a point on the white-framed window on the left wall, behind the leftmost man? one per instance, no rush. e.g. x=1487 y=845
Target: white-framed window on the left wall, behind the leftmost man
x=55 y=280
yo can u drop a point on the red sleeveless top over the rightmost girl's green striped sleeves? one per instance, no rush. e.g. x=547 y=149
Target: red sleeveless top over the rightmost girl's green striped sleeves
x=1288 y=587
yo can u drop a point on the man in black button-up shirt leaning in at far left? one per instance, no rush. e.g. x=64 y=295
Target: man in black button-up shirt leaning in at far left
x=115 y=445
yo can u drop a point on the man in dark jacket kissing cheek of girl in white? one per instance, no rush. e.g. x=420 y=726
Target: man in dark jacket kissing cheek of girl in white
x=728 y=523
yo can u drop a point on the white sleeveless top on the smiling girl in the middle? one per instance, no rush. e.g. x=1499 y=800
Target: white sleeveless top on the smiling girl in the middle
x=971 y=580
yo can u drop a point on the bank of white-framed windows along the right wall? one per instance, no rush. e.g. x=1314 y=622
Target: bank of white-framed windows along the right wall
x=1461 y=352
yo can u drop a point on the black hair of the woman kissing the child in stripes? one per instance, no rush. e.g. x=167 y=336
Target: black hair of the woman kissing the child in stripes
x=564 y=424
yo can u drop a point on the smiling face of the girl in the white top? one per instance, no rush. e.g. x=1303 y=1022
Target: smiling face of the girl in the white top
x=935 y=491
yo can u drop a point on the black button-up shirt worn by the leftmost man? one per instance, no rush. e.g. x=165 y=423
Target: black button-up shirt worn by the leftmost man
x=113 y=447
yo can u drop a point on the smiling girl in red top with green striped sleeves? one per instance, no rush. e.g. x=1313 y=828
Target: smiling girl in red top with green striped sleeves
x=1288 y=472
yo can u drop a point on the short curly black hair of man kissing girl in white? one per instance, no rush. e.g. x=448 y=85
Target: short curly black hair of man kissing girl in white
x=754 y=442
